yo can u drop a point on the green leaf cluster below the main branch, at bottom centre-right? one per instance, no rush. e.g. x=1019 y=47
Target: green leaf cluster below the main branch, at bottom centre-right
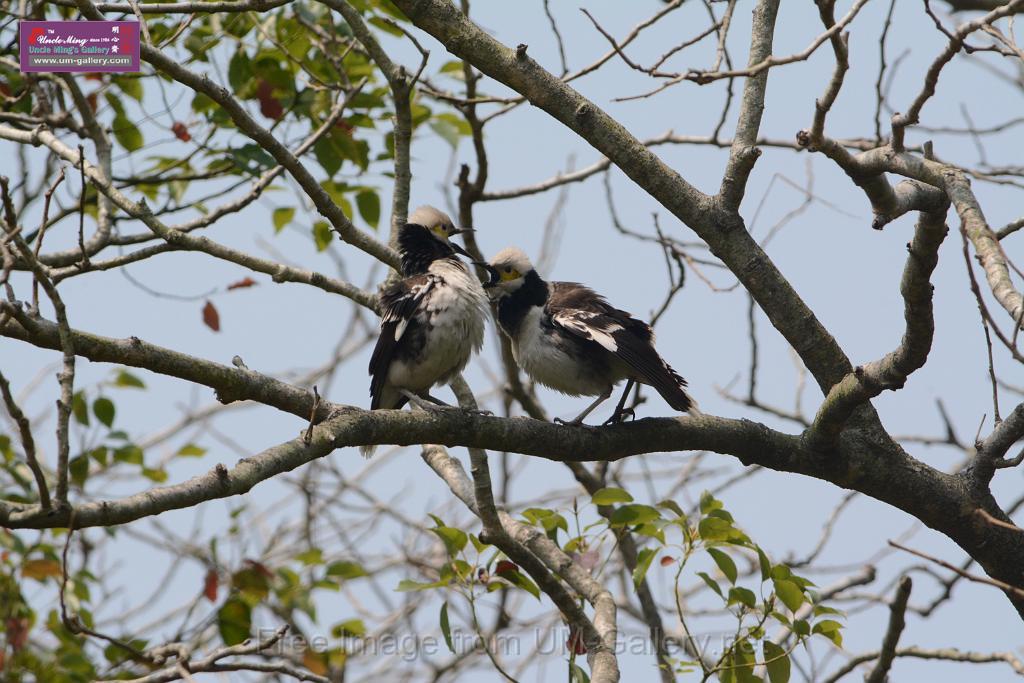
x=763 y=596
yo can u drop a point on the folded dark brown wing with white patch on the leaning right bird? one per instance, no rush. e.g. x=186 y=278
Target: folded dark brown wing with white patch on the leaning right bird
x=583 y=313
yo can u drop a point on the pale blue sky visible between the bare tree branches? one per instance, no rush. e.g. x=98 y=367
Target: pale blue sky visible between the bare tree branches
x=847 y=273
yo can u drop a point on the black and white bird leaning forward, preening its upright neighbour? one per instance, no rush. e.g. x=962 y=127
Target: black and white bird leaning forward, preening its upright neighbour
x=570 y=338
